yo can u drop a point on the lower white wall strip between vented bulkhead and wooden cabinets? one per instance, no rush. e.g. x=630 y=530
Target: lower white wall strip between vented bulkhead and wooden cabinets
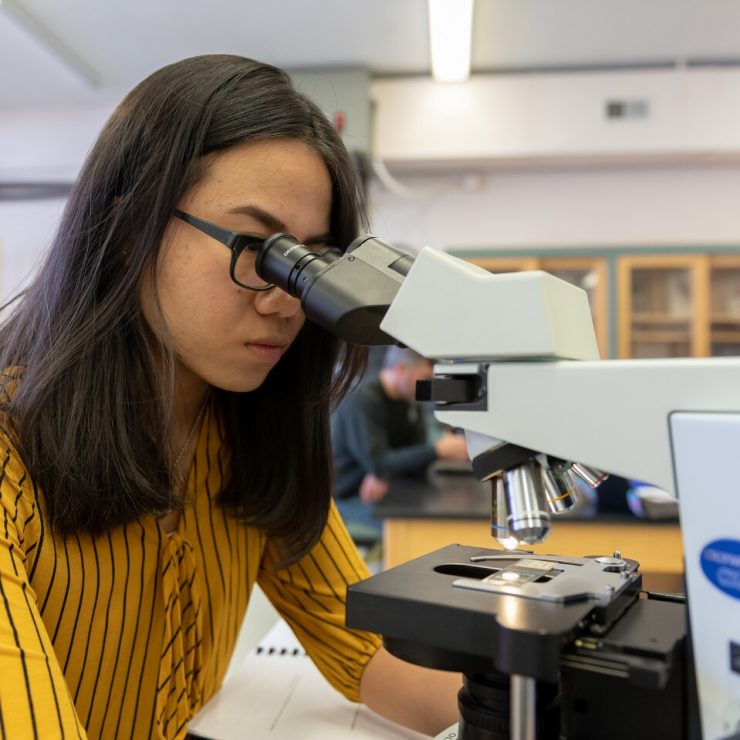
x=549 y=208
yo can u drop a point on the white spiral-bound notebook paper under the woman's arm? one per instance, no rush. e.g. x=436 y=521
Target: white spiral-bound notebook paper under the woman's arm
x=278 y=693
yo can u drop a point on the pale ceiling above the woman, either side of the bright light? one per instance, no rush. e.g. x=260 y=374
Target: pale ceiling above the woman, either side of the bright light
x=72 y=52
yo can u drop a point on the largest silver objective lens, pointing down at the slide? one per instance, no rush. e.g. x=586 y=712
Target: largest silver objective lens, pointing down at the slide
x=525 y=499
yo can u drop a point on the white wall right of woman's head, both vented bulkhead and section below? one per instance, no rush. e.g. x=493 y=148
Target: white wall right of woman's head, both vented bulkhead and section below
x=548 y=166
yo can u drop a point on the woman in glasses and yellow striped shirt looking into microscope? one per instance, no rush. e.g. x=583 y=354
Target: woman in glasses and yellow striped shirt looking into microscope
x=165 y=422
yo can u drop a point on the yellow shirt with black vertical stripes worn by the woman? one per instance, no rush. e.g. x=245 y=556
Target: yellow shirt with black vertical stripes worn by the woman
x=128 y=634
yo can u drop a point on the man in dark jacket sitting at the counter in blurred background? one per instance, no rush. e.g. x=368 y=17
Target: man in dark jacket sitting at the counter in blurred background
x=380 y=431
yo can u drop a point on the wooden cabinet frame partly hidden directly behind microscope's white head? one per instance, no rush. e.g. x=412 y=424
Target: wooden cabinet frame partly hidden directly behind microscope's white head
x=589 y=273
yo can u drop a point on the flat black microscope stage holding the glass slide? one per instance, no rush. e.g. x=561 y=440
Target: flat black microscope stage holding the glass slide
x=466 y=608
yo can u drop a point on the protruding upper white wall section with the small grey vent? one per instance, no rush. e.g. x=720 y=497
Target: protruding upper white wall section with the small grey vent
x=556 y=116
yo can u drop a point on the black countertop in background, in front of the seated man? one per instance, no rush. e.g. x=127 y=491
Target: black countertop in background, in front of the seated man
x=461 y=496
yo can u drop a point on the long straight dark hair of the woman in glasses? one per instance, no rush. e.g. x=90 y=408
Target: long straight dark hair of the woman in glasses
x=86 y=400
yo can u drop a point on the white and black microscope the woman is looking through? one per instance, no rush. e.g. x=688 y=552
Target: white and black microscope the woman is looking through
x=550 y=647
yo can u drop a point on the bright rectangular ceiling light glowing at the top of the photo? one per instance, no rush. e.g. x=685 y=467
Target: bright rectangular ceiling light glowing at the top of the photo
x=450 y=34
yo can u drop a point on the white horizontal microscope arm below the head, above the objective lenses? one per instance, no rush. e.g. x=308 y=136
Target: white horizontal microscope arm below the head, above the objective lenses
x=612 y=414
